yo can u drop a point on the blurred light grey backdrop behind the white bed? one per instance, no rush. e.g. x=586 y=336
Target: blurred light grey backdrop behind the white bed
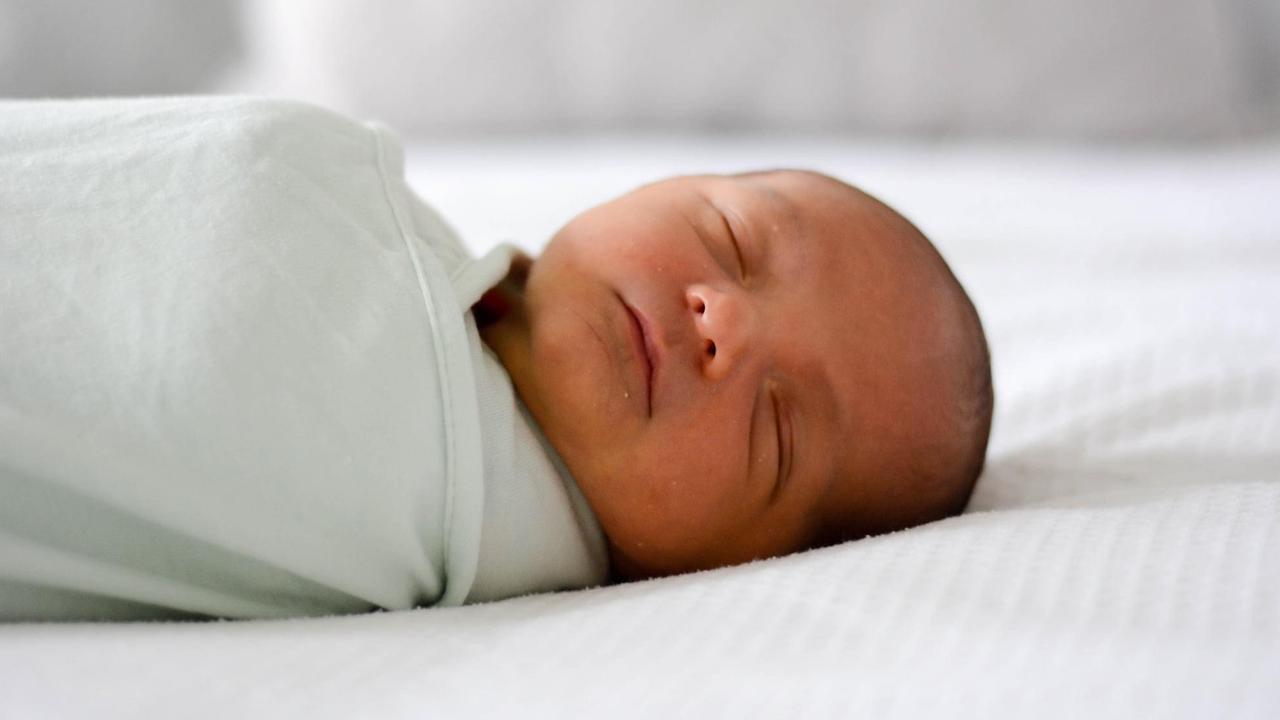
x=1100 y=71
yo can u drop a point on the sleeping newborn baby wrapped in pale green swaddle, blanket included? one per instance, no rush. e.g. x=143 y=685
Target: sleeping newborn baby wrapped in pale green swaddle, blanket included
x=248 y=373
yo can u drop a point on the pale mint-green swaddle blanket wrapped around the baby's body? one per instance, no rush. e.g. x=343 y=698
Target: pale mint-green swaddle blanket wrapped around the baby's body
x=240 y=379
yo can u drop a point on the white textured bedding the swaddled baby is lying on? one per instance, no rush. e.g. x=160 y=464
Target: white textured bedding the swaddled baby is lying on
x=1121 y=558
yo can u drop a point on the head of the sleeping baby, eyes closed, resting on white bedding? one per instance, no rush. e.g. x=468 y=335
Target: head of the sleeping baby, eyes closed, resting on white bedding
x=751 y=366
